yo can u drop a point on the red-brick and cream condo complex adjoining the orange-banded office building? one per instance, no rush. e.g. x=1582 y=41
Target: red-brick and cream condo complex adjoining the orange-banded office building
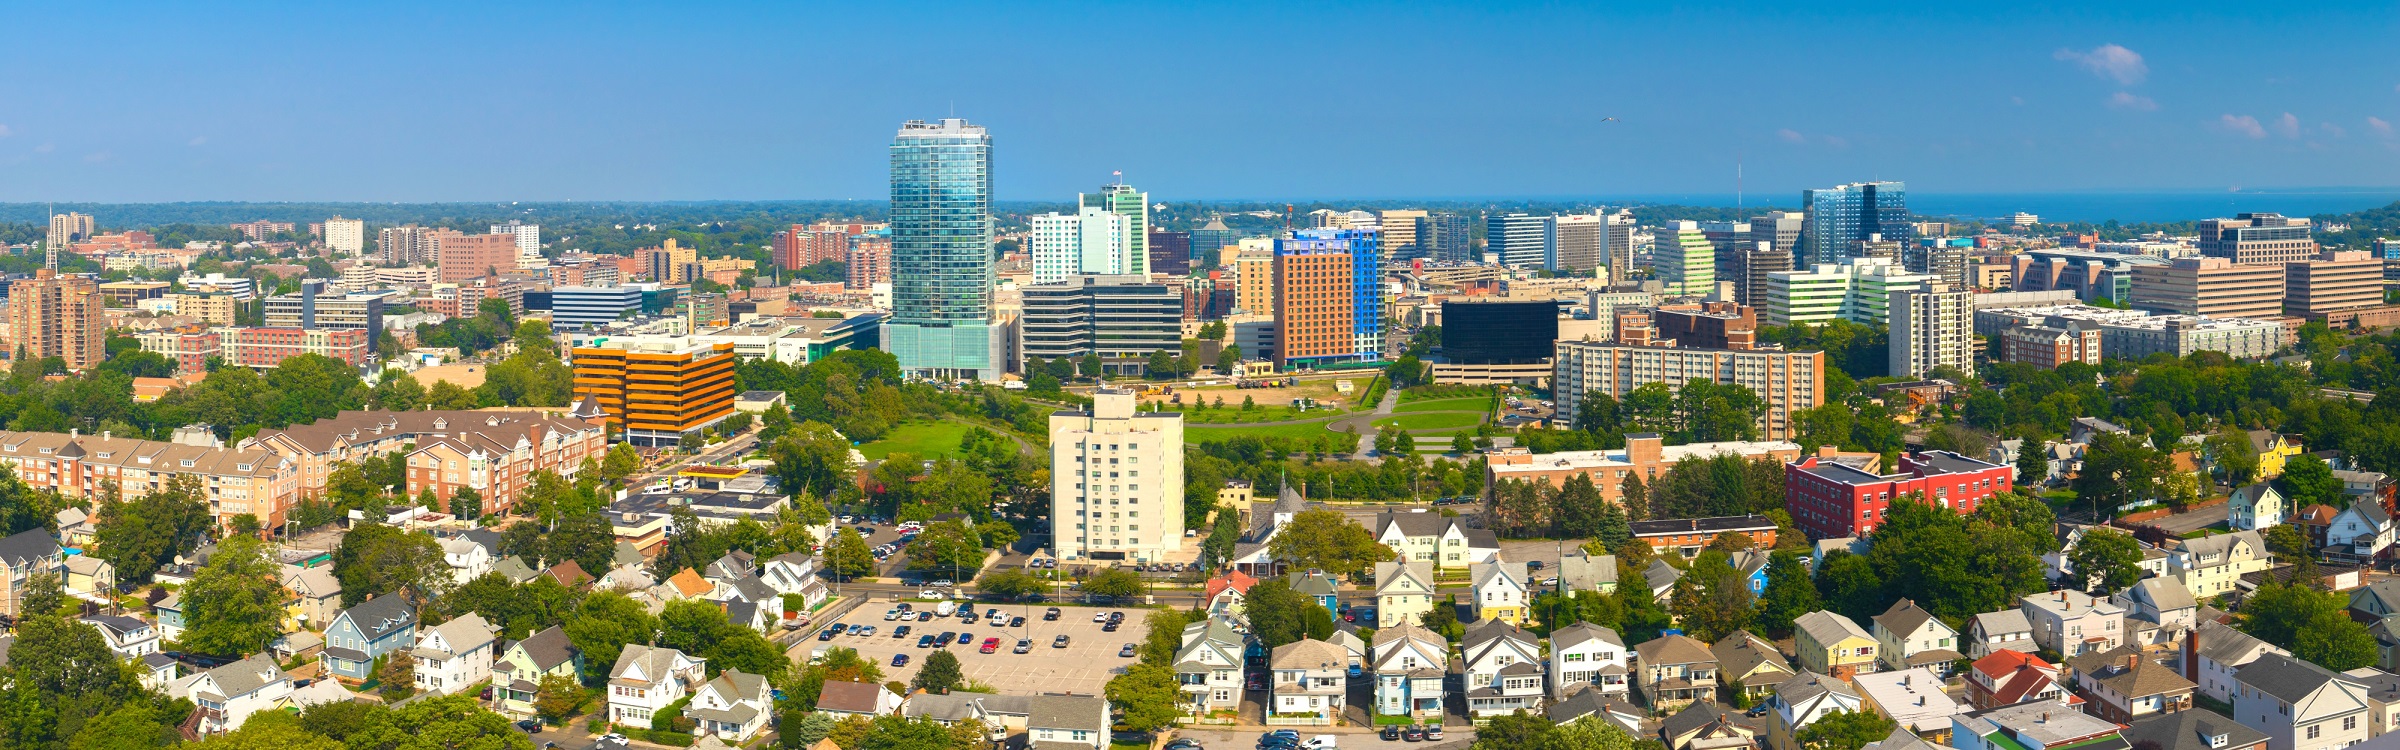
x=493 y=451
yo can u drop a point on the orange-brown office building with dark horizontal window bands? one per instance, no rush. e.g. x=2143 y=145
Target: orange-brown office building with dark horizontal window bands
x=659 y=393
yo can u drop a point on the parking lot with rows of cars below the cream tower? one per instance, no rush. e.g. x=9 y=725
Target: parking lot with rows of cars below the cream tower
x=1084 y=667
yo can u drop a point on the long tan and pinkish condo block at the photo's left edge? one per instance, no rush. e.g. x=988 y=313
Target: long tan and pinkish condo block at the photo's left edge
x=234 y=482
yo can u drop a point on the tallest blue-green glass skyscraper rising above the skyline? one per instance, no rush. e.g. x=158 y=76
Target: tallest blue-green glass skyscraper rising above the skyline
x=942 y=254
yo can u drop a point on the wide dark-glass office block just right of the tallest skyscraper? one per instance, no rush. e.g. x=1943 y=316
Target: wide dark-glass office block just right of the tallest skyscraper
x=1120 y=319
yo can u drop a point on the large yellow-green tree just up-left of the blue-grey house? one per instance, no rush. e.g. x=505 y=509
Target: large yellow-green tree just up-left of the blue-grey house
x=234 y=605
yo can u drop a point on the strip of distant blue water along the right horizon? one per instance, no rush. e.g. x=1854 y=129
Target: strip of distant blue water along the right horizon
x=2104 y=206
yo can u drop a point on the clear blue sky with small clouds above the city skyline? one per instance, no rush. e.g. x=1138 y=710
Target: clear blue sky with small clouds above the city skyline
x=419 y=102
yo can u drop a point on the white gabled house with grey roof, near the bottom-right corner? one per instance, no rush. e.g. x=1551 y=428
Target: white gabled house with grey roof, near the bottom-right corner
x=2300 y=706
